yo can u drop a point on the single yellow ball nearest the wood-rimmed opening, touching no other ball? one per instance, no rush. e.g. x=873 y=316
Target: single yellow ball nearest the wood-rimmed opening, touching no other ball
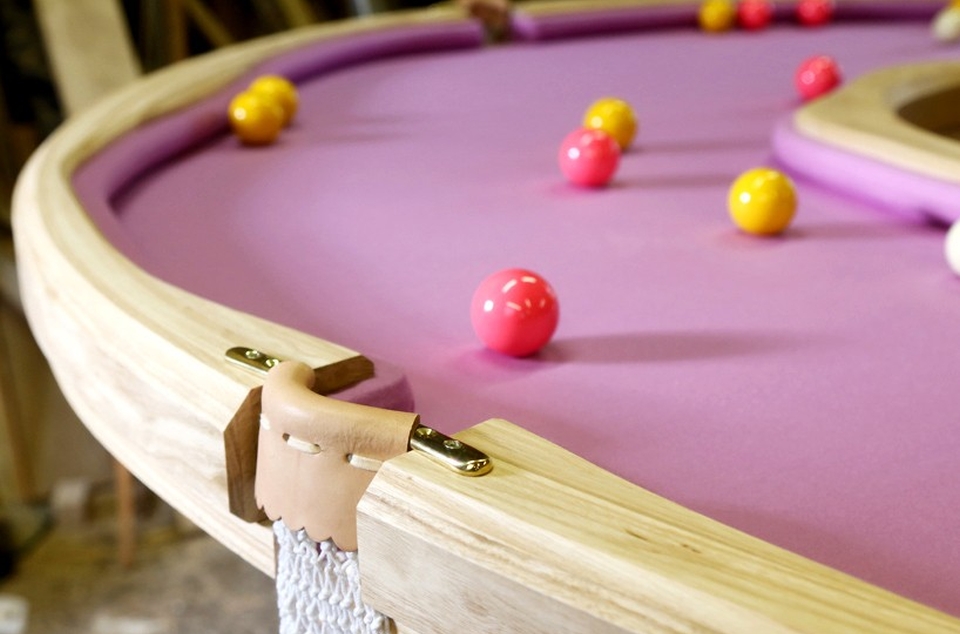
x=762 y=201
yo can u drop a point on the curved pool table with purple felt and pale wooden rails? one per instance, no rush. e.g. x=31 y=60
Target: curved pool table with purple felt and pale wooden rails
x=727 y=433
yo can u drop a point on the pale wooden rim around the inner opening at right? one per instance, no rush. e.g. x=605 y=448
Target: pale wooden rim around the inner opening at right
x=863 y=117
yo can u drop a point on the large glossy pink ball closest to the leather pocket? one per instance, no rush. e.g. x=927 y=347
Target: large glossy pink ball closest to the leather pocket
x=515 y=312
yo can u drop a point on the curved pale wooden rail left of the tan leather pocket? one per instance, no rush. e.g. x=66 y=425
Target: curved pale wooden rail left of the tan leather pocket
x=140 y=361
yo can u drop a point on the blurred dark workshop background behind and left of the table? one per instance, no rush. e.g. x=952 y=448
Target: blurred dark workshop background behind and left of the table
x=83 y=547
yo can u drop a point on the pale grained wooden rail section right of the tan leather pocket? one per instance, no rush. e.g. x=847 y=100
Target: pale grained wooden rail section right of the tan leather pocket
x=548 y=542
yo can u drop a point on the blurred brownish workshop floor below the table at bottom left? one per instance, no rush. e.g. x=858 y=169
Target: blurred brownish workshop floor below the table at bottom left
x=182 y=582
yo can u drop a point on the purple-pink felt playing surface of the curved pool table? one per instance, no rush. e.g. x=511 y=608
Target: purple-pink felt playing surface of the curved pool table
x=802 y=389
